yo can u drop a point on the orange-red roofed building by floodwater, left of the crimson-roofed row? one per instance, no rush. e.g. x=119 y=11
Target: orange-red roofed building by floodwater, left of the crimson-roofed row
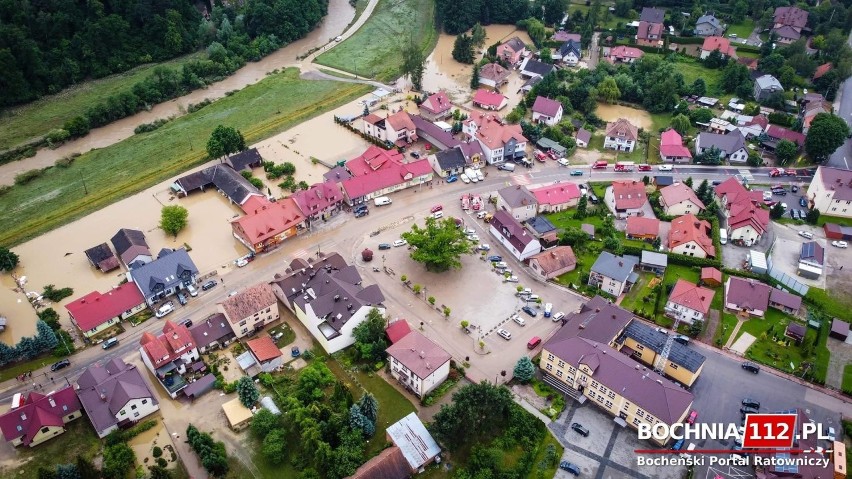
x=267 y=224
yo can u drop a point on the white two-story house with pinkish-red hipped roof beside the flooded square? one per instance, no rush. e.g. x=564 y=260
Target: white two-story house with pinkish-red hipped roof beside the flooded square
x=418 y=364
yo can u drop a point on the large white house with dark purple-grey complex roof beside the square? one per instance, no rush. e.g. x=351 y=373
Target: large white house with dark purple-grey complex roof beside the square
x=328 y=297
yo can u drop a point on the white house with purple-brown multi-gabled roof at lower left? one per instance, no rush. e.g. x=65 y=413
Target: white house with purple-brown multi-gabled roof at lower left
x=115 y=395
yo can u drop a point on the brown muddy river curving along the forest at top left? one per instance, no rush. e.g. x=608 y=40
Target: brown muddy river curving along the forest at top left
x=339 y=16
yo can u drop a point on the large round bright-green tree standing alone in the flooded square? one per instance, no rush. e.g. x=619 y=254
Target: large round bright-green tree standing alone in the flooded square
x=439 y=245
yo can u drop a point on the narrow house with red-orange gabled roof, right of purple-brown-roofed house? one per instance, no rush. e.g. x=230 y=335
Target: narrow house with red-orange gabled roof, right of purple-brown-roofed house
x=168 y=354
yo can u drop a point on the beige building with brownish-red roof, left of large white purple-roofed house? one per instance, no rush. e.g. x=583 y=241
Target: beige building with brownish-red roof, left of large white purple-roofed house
x=250 y=309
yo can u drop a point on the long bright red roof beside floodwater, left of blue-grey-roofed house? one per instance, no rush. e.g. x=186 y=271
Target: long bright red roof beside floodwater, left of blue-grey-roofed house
x=95 y=308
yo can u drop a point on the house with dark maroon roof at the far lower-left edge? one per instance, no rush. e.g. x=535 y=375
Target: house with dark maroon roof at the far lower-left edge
x=36 y=418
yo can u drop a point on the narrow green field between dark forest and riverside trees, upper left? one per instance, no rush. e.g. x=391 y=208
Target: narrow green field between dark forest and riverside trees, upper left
x=34 y=120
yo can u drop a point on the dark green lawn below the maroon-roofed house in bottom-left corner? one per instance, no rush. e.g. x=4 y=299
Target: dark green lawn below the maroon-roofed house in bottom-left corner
x=79 y=438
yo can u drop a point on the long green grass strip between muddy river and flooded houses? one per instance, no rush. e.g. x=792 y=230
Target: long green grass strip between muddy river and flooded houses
x=272 y=105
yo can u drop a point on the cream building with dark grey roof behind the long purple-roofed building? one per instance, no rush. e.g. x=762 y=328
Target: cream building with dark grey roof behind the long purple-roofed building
x=645 y=344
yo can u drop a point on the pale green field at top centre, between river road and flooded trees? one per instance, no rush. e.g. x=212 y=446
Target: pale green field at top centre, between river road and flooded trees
x=375 y=50
